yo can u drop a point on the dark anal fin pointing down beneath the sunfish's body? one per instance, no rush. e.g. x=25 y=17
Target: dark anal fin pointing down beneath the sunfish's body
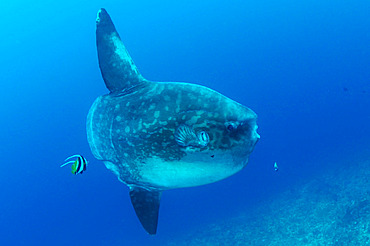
x=146 y=205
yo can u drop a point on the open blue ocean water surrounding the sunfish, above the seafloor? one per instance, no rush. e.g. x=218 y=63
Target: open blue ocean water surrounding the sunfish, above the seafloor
x=303 y=67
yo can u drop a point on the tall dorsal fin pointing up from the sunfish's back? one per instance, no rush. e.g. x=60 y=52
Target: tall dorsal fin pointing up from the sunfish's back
x=118 y=70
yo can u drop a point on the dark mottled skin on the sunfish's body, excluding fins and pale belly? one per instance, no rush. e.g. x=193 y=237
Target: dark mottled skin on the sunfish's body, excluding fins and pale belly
x=131 y=128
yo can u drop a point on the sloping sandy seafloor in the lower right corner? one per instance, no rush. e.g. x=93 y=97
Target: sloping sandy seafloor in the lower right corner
x=332 y=208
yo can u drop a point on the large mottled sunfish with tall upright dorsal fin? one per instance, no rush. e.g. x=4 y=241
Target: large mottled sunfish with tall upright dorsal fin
x=157 y=136
